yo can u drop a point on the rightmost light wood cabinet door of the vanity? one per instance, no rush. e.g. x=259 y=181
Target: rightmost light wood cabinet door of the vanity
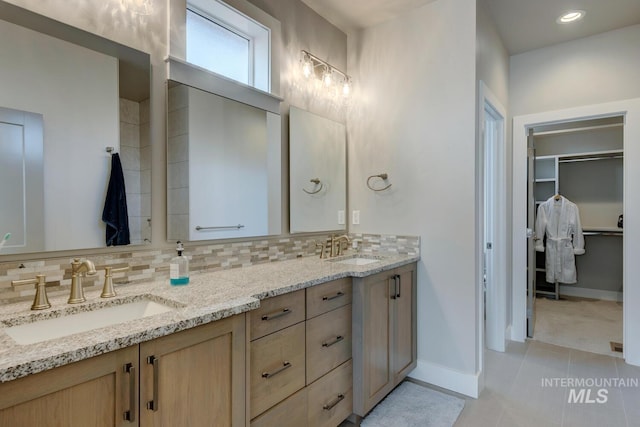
x=404 y=323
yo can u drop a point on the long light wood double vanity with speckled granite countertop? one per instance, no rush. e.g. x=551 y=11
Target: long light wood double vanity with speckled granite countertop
x=307 y=341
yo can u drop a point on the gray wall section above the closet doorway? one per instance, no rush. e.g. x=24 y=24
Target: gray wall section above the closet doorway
x=587 y=71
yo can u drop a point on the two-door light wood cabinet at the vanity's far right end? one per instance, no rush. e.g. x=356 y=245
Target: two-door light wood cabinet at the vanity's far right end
x=385 y=345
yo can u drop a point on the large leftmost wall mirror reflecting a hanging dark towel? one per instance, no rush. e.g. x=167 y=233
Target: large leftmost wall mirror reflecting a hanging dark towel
x=78 y=94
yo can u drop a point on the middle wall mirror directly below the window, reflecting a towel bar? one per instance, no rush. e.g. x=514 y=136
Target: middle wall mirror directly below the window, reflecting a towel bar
x=224 y=167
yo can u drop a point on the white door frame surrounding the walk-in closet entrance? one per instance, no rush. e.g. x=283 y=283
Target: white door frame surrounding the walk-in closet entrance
x=630 y=109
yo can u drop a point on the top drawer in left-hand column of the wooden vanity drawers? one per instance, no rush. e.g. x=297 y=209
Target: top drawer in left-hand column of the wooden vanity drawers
x=277 y=313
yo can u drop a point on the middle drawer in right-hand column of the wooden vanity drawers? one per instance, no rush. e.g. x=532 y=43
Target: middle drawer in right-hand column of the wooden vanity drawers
x=328 y=342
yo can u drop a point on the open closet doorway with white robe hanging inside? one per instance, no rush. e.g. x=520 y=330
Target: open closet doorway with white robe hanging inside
x=578 y=262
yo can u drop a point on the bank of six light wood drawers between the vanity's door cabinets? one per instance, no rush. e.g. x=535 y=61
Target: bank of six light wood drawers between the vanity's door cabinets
x=321 y=395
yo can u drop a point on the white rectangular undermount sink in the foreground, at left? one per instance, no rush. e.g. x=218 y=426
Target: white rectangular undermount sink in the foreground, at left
x=100 y=317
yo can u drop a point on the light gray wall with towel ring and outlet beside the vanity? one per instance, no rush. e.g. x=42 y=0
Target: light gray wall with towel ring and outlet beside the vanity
x=416 y=121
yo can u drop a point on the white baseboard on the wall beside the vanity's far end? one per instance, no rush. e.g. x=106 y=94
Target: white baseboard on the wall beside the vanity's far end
x=450 y=379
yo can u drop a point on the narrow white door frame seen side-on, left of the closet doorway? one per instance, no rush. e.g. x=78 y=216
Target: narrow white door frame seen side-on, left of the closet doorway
x=493 y=331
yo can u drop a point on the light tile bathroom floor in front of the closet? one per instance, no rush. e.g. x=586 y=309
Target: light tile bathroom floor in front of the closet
x=514 y=395
